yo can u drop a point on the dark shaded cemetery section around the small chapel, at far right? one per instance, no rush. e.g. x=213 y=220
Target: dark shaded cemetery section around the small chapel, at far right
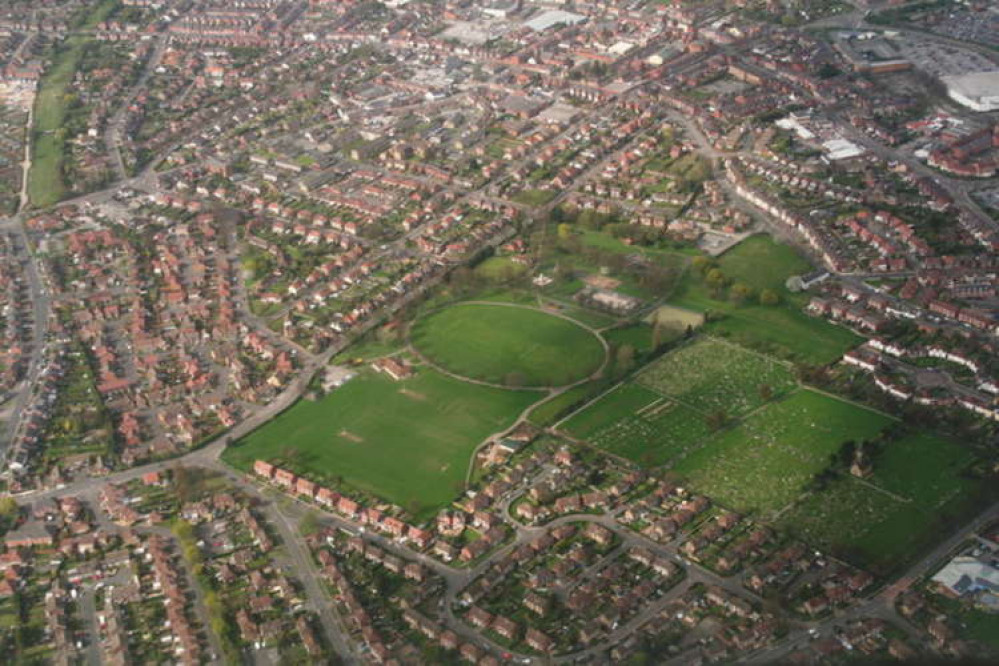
x=918 y=491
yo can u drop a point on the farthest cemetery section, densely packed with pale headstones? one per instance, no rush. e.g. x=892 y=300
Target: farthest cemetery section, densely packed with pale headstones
x=712 y=375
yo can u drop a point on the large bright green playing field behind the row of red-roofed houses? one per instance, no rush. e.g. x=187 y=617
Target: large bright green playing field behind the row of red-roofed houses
x=408 y=442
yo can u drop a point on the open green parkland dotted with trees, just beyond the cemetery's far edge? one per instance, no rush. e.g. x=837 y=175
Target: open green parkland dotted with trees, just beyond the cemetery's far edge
x=784 y=329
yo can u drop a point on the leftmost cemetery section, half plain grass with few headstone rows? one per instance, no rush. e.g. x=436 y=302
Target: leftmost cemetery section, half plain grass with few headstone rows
x=639 y=424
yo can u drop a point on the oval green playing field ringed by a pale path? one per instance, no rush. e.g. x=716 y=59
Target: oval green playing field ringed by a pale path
x=508 y=345
